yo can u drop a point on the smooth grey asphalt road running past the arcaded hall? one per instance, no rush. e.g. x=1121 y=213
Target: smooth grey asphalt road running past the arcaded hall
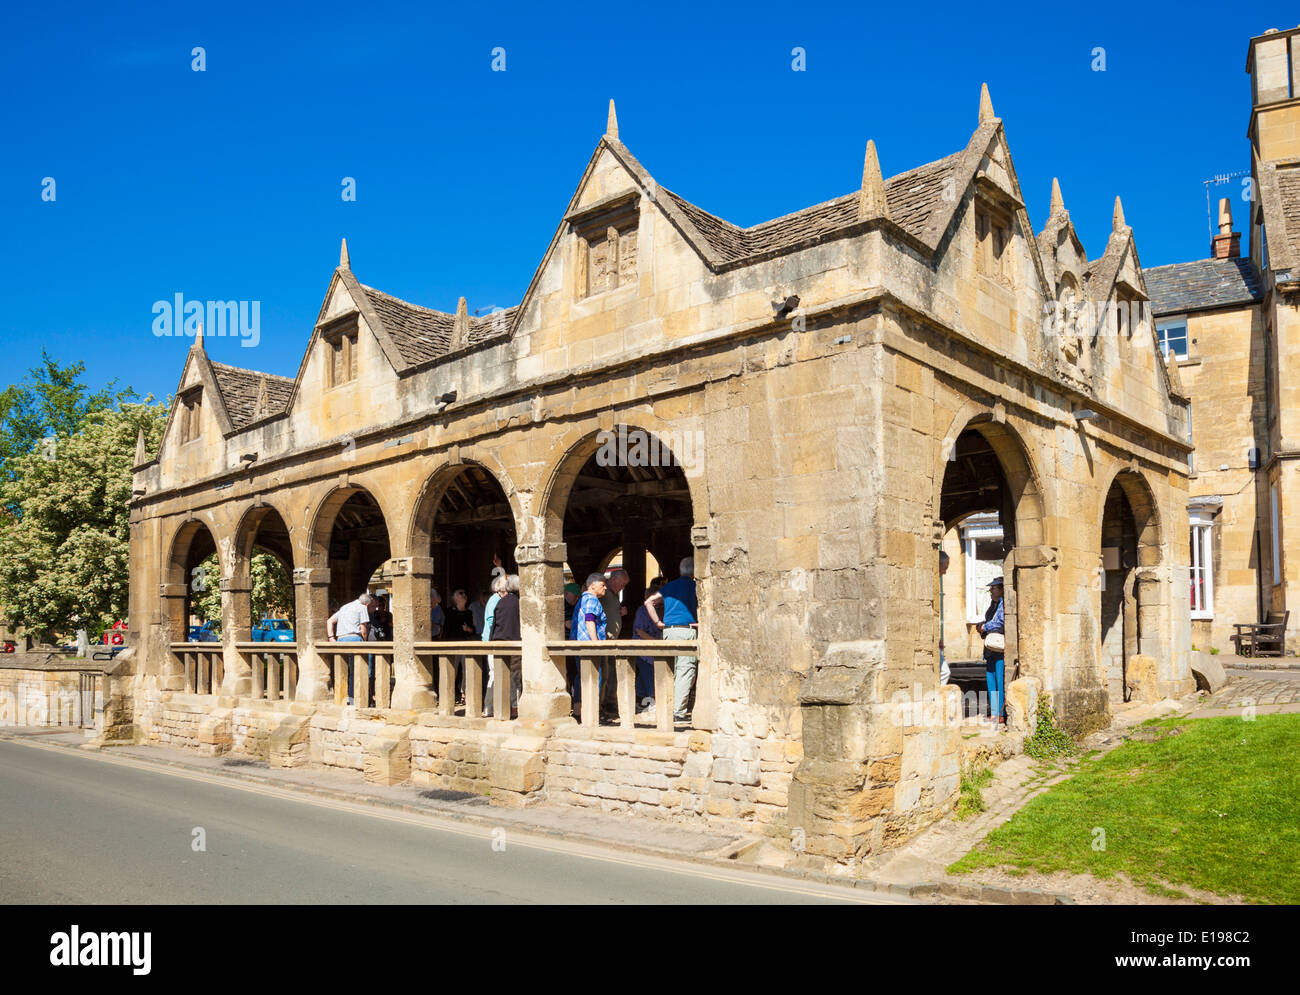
x=93 y=829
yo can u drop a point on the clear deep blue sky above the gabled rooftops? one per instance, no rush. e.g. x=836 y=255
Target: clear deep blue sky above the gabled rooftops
x=227 y=184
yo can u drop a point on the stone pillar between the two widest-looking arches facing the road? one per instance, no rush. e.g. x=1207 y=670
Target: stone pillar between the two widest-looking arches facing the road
x=541 y=617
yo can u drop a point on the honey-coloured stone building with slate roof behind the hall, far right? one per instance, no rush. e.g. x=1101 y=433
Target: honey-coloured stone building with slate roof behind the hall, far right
x=1232 y=323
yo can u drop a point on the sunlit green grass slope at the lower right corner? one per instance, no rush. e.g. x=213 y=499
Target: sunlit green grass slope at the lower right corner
x=1199 y=803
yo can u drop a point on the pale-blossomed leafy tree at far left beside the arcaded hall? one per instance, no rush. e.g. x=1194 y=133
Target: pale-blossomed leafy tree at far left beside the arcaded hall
x=64 y=552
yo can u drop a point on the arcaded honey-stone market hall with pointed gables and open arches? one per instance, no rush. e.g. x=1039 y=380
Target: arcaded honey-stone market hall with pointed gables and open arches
x=840 y=390
